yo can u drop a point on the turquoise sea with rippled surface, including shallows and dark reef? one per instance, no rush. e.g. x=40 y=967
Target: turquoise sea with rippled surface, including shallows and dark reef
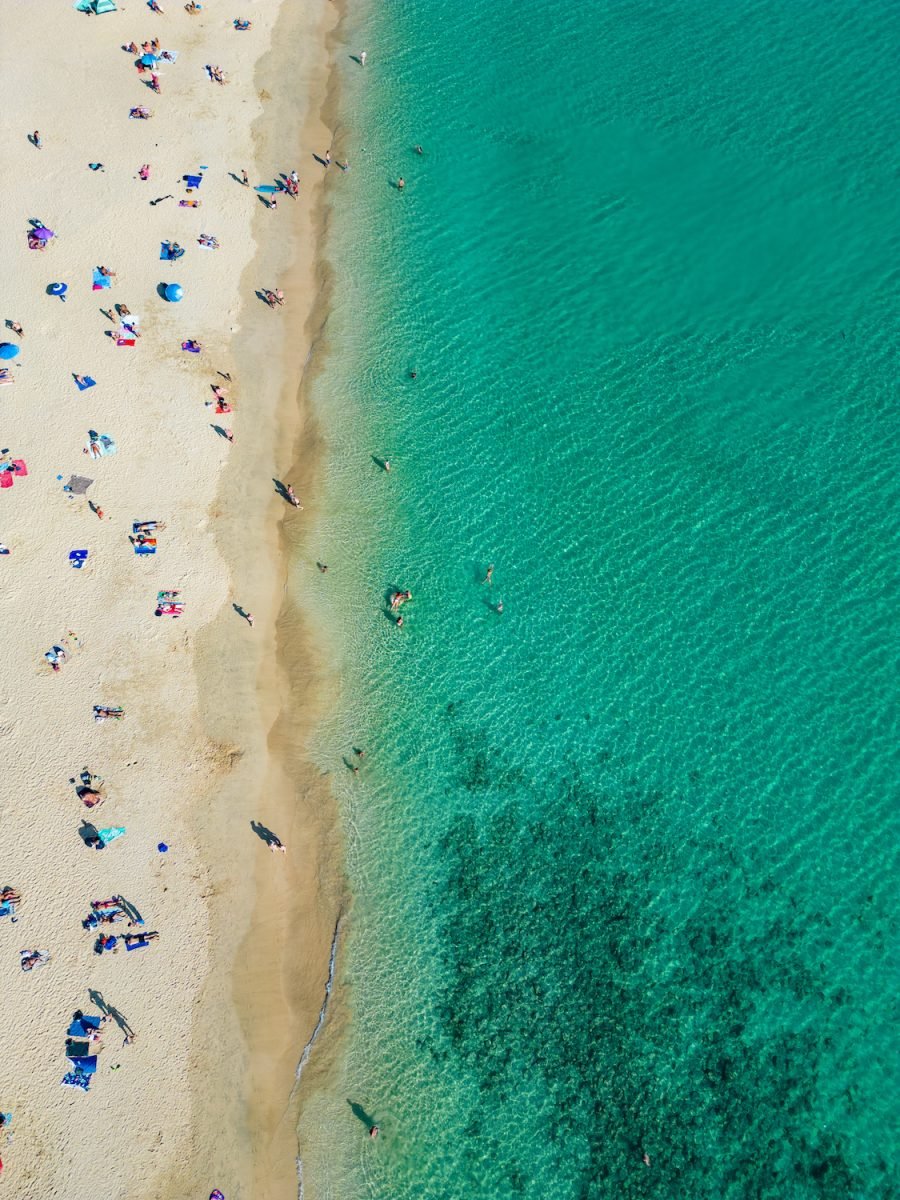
x=625 y=855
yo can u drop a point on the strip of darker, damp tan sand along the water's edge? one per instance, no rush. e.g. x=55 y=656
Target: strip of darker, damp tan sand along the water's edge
x=277 y=987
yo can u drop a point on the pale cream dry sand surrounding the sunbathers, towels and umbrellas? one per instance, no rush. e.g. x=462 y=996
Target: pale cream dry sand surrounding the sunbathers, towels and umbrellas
x=137 y=1133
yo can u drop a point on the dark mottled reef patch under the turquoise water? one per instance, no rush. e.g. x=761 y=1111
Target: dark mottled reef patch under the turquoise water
x=667 y=994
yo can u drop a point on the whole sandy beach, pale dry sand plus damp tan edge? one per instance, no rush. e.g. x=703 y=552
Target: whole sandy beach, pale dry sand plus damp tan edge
x=194 y=1085
